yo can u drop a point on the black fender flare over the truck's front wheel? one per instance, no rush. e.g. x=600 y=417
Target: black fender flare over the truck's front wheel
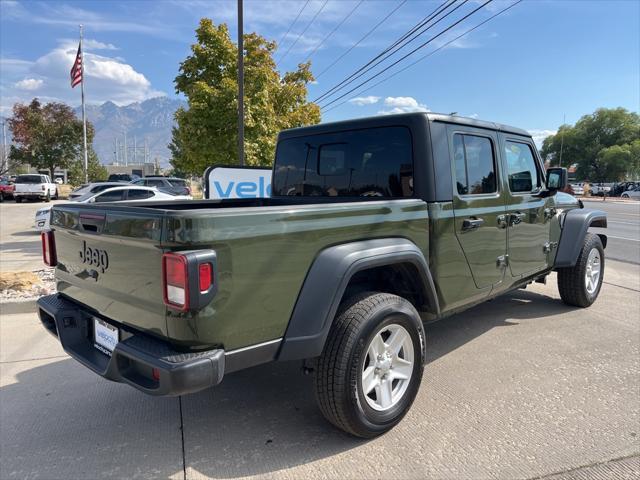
x=574 y=228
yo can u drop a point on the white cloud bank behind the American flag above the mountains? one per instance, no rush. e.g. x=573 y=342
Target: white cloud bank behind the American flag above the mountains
x=106 y=78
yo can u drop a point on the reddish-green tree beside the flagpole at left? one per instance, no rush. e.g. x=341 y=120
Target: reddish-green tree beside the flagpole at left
x=46 y=136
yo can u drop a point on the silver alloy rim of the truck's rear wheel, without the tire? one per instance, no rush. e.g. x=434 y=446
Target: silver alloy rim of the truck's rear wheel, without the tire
x=387 y=367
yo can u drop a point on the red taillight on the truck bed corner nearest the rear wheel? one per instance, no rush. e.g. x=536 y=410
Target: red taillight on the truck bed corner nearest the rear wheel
x=188 y=279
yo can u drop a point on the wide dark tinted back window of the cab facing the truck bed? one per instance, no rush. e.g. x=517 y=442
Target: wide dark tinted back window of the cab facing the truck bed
x=375 y=162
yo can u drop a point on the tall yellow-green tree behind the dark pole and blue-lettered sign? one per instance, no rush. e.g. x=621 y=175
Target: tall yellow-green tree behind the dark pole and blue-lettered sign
x=207 y=132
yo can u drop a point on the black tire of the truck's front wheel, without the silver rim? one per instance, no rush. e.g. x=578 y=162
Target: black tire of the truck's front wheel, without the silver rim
x=571 y=281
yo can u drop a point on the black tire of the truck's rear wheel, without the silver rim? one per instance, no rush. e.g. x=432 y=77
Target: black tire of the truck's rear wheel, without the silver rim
x=338 y=375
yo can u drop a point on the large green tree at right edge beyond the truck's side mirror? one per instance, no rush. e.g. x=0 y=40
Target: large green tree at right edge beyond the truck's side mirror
x=589 y=144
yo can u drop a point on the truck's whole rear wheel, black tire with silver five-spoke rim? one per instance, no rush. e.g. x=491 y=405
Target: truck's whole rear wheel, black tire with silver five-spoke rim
x=371 y=367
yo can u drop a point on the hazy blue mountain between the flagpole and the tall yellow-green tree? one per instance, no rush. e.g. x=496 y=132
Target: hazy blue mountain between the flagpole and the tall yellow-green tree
x=151 y=120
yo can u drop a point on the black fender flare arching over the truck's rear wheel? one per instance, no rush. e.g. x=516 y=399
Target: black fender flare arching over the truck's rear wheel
x=327 y=280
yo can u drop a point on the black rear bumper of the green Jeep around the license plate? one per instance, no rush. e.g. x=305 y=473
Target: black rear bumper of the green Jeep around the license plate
x=135 y=356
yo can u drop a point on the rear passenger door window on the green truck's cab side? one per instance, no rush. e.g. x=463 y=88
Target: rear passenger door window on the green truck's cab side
x=475 y=165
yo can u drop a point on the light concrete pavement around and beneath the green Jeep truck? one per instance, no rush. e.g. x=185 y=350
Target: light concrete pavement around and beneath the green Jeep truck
x=519 y=387
